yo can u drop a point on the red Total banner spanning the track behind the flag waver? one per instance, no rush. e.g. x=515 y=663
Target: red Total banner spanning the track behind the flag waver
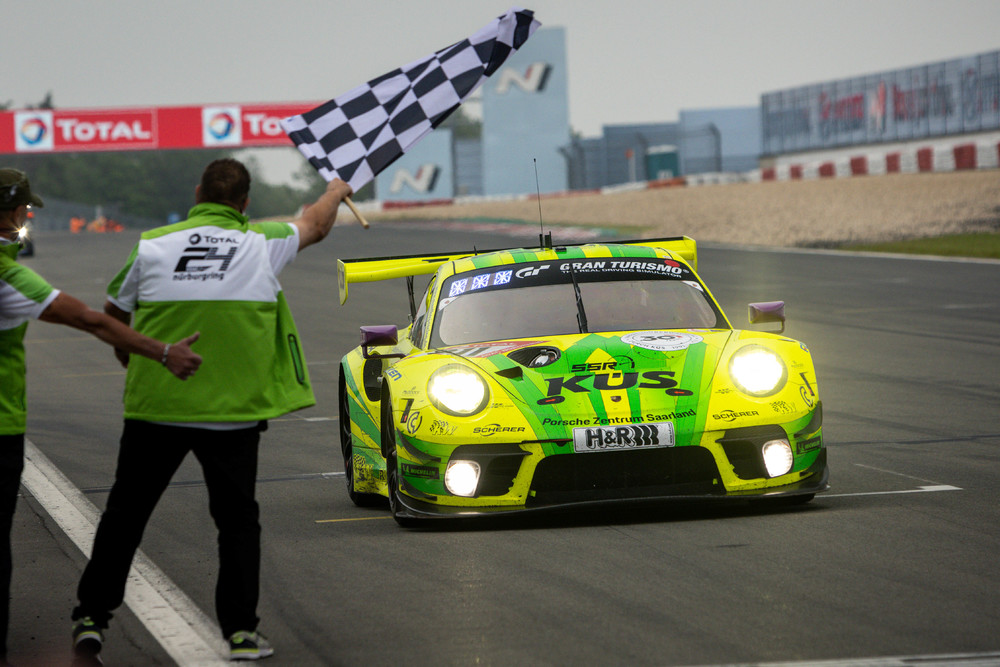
x=153 y=128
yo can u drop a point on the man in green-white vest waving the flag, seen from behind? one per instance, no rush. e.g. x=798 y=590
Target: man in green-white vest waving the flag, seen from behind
x=221 y=271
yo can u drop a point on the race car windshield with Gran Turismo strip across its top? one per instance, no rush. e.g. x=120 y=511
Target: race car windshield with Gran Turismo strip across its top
x=541 y=299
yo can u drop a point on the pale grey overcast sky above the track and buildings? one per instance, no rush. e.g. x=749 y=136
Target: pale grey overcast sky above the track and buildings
x=629 y=61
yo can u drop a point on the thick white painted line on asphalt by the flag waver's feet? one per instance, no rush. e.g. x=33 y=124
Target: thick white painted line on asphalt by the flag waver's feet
x=185 y=632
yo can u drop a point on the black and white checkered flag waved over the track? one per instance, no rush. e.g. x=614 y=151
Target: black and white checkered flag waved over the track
x=355 y=136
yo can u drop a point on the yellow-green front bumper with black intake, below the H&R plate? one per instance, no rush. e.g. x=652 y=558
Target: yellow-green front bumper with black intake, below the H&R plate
x=546 y=475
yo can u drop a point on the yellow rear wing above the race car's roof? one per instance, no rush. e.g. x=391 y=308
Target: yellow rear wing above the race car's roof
x=371 y=269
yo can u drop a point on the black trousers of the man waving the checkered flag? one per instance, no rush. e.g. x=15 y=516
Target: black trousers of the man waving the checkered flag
x=149 y=456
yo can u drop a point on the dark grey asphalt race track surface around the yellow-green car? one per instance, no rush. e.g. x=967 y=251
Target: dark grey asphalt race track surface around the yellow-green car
x=897 y=562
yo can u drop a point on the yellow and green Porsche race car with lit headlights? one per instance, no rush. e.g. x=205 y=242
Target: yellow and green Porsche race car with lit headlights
x=558 y=376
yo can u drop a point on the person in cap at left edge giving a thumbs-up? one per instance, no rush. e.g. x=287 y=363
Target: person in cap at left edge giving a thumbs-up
x=25 y=295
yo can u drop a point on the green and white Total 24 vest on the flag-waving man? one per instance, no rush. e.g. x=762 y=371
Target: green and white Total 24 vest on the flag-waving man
x=211 y=273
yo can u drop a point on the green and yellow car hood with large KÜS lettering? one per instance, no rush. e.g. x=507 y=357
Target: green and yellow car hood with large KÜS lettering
x=603 y=378
